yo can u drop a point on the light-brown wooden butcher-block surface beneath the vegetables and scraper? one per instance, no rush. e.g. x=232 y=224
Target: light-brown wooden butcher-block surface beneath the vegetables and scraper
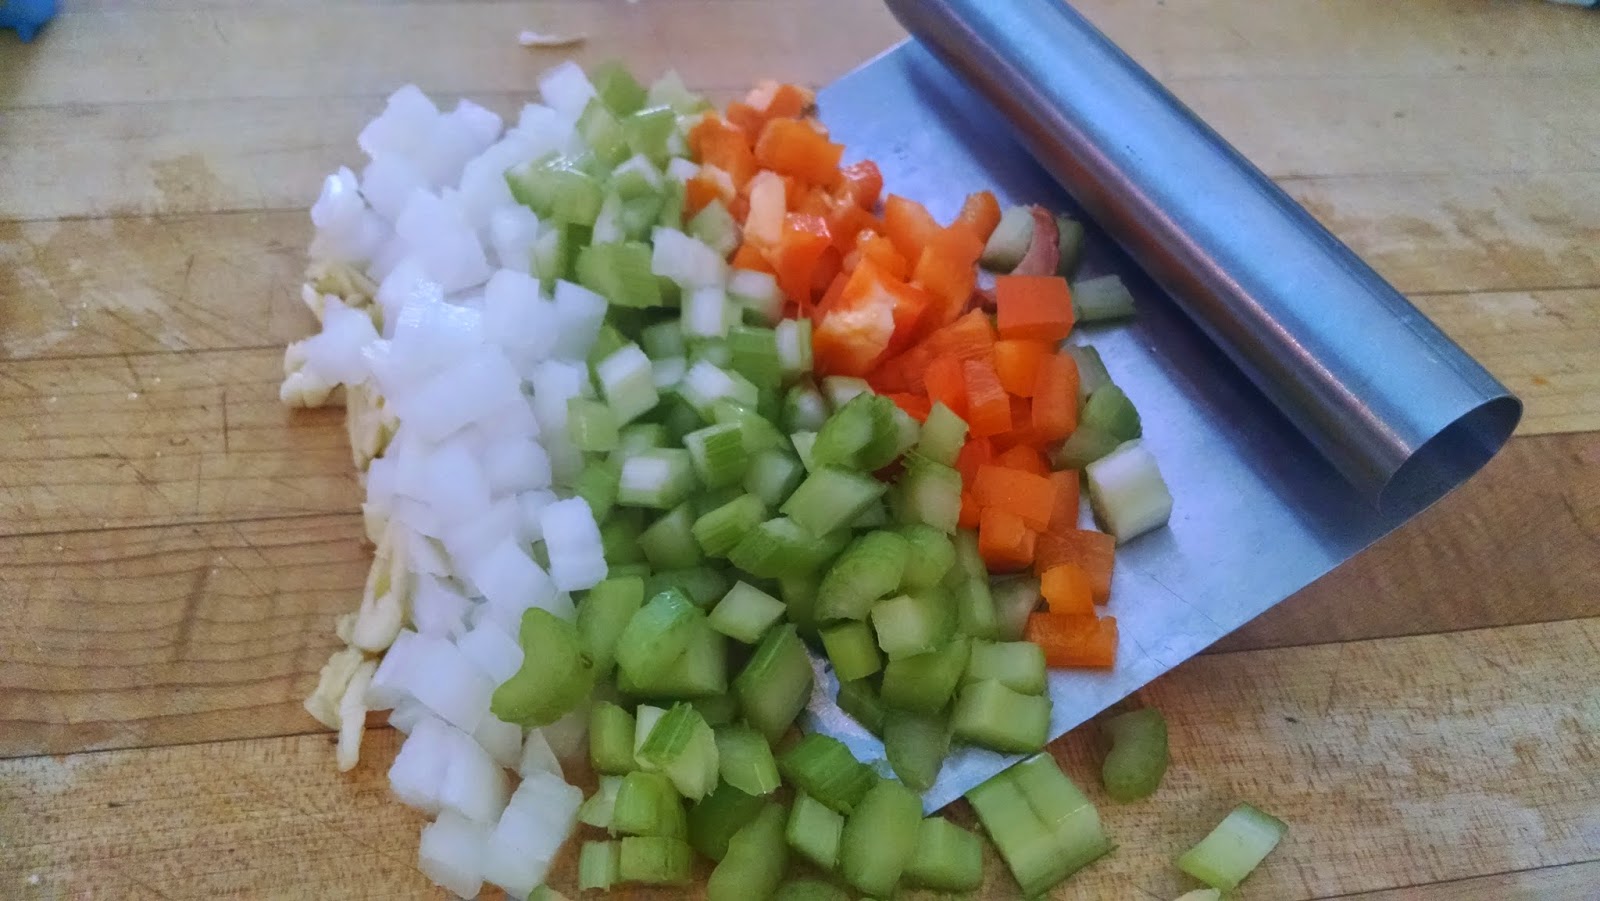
x=174 y=545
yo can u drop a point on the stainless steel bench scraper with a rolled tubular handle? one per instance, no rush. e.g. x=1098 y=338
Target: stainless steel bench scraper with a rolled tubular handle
x=1300 y=407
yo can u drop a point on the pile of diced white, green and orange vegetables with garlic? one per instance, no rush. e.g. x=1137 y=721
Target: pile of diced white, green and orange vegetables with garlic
x=652 y=404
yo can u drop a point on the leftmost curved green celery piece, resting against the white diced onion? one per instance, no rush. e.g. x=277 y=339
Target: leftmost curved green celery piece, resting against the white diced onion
x=556 y=675
